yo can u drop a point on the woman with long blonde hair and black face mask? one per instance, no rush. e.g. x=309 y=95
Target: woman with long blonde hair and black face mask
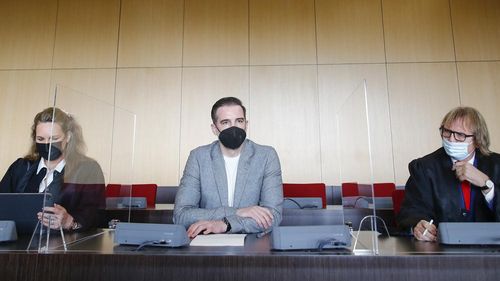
x=56 y=163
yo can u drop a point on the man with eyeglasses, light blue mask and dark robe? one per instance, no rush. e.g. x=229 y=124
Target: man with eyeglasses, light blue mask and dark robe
x=456 y=183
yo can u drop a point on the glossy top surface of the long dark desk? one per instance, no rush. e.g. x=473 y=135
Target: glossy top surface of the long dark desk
x=101 y=241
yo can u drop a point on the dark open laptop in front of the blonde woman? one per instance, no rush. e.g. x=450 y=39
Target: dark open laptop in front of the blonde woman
x=22 y=209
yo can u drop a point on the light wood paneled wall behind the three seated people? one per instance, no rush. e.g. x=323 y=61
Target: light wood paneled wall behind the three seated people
x=142 y=75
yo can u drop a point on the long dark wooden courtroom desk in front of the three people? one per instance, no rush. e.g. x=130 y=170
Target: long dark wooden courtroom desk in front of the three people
x=98 y=258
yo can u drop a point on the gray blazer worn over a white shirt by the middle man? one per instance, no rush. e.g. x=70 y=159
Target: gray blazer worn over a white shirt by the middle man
x=202 y=193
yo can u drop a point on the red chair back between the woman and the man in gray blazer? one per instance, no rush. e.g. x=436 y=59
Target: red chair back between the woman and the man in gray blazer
x=138 y=190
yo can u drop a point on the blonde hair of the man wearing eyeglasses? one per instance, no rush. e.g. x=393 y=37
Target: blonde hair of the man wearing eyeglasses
x=472 y=119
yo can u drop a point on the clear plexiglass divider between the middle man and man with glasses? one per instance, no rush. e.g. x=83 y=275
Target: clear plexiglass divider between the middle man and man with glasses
x=354 y=149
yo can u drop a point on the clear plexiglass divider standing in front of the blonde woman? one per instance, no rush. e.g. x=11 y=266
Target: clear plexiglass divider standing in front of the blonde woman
x=89 y=144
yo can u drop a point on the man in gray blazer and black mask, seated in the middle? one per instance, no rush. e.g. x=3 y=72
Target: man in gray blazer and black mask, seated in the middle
x=232 y=185
